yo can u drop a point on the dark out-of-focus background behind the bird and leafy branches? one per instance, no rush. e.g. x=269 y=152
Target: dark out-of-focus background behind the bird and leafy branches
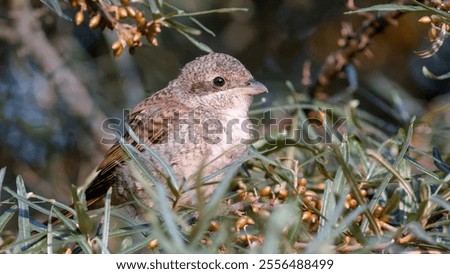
x=59 y=82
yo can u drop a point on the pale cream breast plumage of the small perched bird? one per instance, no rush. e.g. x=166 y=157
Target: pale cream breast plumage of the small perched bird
x=207 y=142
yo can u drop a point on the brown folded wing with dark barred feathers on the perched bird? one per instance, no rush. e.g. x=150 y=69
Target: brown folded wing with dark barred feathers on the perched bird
x=150 y=123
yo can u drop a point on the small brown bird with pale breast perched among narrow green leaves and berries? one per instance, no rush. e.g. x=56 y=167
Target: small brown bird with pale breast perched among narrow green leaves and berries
x=198 y=124
